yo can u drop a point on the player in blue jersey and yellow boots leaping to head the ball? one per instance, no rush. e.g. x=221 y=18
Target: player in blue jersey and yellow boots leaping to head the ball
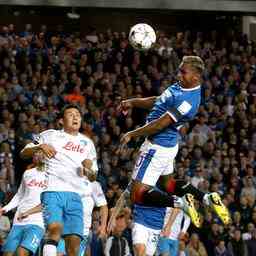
x=177 y=105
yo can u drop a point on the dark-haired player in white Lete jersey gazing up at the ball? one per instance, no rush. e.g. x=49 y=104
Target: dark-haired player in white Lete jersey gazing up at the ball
x=67 y=151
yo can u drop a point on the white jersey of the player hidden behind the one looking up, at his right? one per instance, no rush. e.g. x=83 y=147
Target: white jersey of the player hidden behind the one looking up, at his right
x=95 y=198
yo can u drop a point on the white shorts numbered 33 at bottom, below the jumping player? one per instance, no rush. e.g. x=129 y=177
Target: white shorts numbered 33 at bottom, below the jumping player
x=147 y=236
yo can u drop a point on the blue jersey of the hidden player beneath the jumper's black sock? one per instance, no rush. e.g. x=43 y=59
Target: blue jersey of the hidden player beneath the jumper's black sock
x=151 y=217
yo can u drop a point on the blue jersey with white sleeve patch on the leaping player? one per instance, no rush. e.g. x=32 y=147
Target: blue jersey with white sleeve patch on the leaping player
x=182 y=105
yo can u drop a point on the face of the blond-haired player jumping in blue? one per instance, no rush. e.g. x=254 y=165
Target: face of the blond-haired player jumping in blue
x=187 y=76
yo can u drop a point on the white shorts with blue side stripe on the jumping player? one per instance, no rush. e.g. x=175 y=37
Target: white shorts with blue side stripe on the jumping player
x=154 y=161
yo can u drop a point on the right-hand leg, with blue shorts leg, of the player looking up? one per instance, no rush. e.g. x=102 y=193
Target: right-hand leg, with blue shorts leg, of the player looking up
x=73 y=223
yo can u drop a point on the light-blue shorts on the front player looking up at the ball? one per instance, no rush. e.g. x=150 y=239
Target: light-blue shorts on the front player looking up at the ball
x=65 y=208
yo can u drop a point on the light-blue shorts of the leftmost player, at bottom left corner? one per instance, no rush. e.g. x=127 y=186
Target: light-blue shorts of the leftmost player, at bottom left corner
x=27 y=236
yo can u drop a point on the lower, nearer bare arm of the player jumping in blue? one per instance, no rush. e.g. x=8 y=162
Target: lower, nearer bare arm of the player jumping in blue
x=148 y=129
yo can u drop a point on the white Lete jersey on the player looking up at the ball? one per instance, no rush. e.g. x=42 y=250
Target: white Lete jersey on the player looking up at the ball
x=63 y=168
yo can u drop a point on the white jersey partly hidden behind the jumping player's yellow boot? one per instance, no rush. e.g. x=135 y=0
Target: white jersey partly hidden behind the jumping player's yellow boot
x=180 y=224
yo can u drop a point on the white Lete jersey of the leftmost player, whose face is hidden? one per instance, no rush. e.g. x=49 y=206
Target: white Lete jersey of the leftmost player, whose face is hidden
x=33 y=183
